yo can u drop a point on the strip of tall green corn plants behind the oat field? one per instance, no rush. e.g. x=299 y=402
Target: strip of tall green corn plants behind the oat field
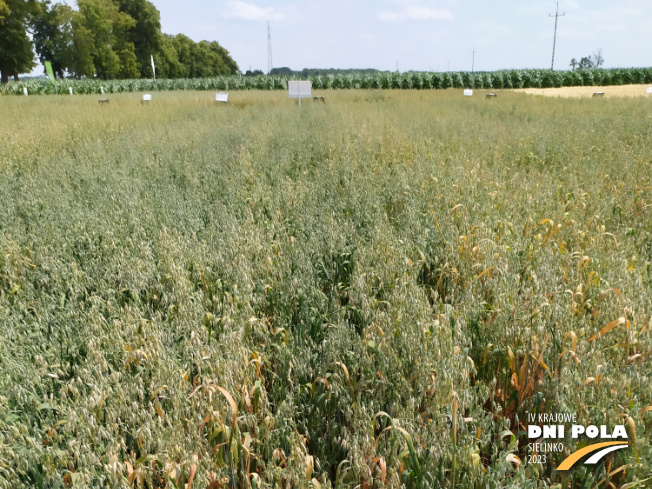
x=508 y=79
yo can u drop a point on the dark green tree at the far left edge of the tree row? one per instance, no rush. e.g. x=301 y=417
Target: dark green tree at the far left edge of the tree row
x=16 y=55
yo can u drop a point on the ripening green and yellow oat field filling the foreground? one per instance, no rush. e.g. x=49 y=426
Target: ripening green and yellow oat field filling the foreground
x=370 y=292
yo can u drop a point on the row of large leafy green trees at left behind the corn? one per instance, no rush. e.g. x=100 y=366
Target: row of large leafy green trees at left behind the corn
x=107 y=39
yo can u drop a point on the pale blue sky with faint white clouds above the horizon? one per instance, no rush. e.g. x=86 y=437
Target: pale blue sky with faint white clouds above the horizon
x=434 y=35
